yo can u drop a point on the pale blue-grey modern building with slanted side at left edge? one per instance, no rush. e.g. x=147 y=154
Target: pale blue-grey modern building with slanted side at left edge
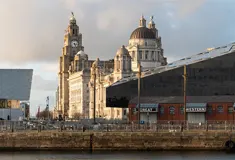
x=15 y=87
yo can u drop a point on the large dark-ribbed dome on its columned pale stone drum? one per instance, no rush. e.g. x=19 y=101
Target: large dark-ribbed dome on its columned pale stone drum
x=145 y=46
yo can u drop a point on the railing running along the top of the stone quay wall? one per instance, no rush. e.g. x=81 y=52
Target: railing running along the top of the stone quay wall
x=76 y=126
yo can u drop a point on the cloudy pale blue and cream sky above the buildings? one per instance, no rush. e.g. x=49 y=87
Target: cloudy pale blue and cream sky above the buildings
x=31 y=32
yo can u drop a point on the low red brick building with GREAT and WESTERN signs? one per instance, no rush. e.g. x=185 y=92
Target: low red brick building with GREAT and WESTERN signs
x=199 y=109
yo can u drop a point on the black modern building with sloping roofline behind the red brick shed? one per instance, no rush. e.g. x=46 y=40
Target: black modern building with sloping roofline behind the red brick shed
x=210 y=73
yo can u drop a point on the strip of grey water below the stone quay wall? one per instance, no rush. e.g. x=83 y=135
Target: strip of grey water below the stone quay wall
x=196 y=155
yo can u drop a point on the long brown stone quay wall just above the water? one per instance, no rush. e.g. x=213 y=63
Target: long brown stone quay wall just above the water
x=115 y=141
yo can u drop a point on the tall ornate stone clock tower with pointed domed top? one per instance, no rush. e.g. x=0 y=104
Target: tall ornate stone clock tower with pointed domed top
x=72 y=45
